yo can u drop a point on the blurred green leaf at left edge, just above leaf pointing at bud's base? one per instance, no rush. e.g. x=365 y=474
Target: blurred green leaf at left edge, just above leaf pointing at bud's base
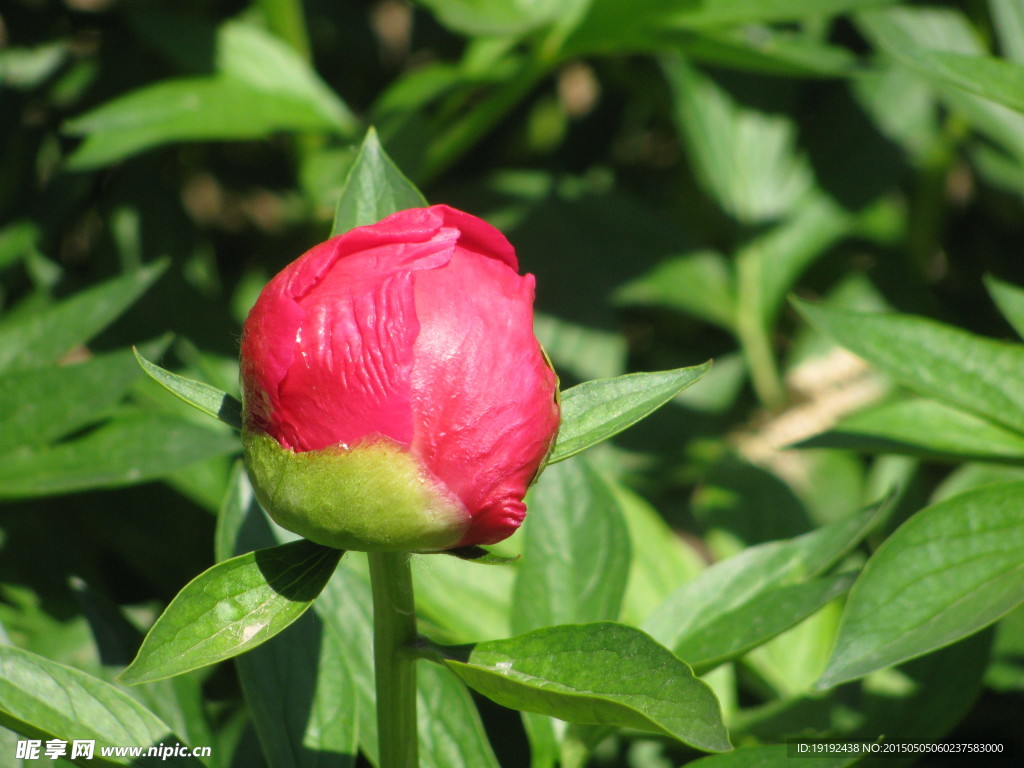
x=40 y=405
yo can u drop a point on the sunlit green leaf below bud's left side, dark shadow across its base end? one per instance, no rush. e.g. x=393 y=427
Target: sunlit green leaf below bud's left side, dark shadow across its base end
x=232 y=608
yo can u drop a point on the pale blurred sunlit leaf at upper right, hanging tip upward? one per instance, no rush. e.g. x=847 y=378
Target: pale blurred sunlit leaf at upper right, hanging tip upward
x=746 y=159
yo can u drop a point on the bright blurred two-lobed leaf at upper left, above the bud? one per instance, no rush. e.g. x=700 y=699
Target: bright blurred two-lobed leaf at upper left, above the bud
x=262 y=88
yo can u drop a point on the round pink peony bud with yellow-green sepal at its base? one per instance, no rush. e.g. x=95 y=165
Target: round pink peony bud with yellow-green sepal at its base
x=396 y=398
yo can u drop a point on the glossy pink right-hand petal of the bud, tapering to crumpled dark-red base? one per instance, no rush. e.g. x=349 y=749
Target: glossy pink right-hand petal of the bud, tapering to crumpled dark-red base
x=483 y=393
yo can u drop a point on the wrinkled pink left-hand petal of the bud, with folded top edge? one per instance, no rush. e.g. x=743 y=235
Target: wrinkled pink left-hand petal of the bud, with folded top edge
x=334 y=333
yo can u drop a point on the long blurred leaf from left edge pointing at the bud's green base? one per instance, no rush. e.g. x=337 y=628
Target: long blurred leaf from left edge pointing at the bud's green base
x=125 y=451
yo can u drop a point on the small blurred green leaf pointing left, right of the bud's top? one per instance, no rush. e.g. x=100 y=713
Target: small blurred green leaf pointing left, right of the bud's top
x=699 y=284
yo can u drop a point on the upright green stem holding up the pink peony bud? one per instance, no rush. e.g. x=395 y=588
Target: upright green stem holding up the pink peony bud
x=395 y=666
